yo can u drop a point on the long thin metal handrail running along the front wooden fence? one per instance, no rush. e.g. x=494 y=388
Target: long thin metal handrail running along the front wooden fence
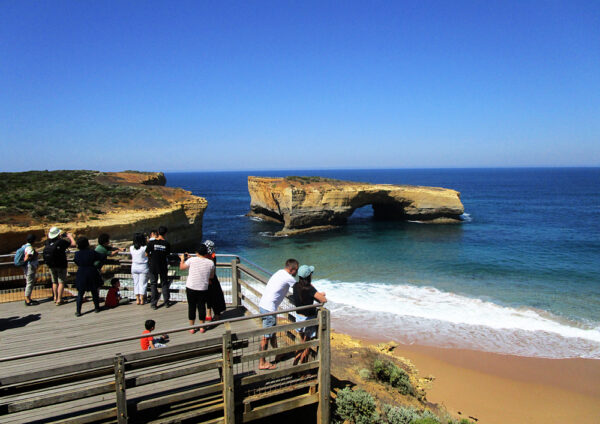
x=175 y=330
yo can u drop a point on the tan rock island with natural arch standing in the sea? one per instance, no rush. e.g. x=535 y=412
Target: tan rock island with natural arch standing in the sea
x=308 y=203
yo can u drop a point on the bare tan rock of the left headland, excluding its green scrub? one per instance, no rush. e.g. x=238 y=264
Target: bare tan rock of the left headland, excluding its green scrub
x=150 y=206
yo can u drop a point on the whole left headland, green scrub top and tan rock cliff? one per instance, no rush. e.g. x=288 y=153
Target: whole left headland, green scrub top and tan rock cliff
x=93 y=202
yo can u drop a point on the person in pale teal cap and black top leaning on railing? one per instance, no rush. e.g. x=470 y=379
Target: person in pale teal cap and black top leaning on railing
x=306 y=294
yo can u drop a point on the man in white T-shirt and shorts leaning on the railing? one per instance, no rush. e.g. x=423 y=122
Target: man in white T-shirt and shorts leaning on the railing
x=277 y=288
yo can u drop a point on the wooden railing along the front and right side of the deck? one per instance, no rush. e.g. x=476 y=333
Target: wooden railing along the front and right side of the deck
x=213 y=380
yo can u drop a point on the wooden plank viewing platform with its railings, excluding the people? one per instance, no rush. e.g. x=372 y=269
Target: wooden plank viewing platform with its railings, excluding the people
x=56 y=367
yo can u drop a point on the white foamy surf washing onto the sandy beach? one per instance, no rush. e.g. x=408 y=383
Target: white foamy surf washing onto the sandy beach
x=426 y=315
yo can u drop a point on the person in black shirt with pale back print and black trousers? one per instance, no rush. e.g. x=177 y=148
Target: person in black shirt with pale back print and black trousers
x=158 y=251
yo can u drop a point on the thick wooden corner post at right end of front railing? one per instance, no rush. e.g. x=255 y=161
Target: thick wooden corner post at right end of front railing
x=324 y=367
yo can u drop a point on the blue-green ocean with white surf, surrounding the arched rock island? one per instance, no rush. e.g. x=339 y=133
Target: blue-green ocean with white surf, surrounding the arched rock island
x=520 y=276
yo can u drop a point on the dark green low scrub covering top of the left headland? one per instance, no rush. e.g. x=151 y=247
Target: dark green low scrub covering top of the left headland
x=57 y=196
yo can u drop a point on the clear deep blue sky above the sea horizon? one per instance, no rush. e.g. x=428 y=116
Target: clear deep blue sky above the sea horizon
x=169 y=86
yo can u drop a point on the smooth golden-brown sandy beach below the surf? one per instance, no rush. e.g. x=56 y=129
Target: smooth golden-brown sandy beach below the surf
x=504 y=389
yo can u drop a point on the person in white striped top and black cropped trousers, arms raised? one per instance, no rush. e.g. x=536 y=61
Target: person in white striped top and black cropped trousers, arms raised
x=201 y=270
